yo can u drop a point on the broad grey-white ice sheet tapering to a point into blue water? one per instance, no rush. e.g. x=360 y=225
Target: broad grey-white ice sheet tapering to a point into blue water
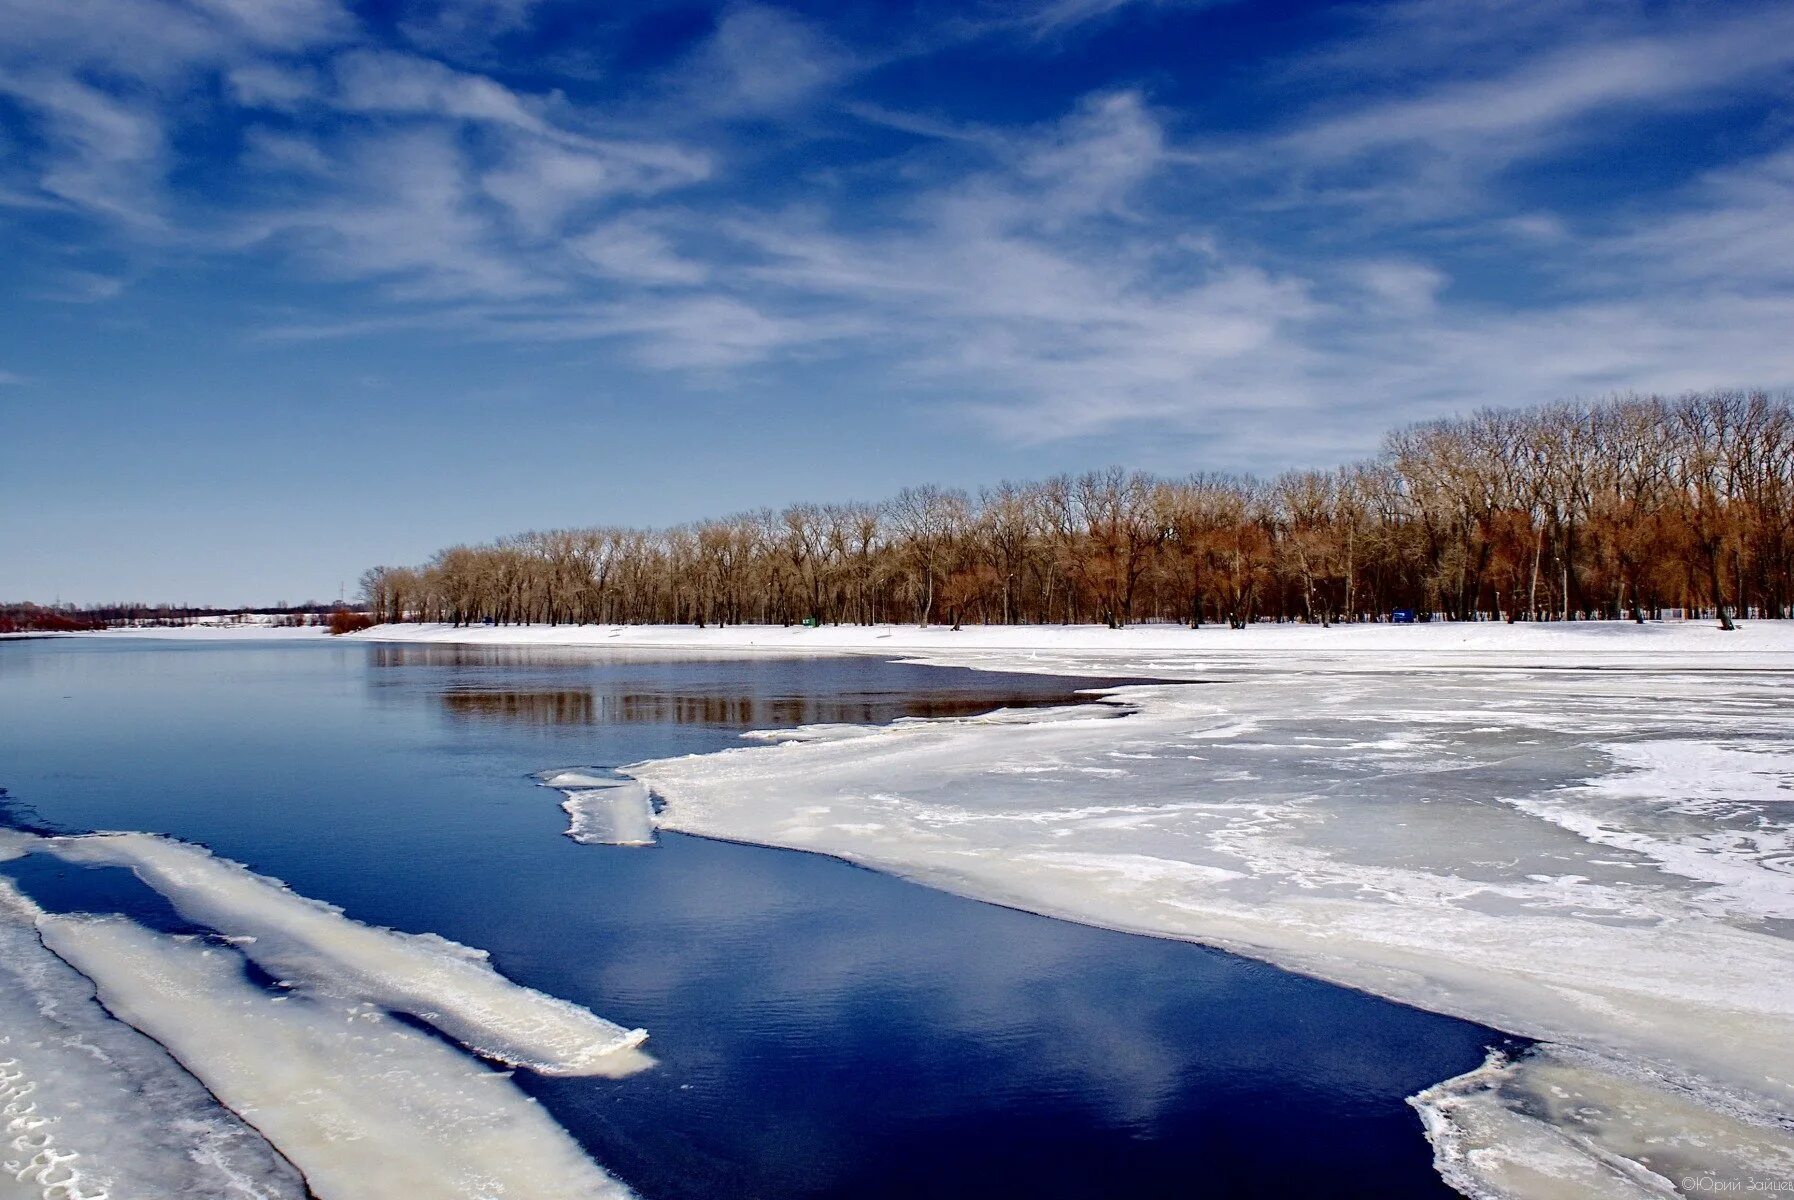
x=1515 y=848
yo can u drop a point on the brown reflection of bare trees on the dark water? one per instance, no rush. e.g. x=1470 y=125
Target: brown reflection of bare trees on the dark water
x=727 y=709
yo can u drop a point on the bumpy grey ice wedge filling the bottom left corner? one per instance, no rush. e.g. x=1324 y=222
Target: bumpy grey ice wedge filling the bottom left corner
x=91 y=1108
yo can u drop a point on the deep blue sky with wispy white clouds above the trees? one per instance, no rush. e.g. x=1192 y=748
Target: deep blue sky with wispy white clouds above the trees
x=293 y=288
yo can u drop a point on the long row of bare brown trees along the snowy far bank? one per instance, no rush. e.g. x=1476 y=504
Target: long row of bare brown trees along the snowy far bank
x=1614 y=510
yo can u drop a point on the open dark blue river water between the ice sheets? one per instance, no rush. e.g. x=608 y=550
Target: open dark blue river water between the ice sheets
x=821 y=1030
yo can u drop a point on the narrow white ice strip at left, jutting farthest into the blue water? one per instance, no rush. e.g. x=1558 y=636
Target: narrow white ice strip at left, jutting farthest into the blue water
x=313 y=946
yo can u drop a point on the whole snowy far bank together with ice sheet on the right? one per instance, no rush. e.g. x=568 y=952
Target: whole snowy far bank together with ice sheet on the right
x=1578 y=833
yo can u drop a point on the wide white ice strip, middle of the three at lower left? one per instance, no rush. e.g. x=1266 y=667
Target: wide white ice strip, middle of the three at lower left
x=367 y=1108
